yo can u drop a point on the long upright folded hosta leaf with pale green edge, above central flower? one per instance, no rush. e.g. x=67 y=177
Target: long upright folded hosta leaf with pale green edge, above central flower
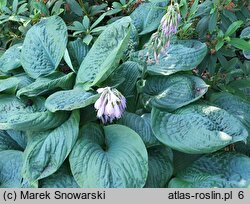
x=105 y=54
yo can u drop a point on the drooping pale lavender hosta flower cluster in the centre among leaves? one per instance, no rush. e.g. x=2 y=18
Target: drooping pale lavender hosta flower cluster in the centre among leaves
x=110 y=105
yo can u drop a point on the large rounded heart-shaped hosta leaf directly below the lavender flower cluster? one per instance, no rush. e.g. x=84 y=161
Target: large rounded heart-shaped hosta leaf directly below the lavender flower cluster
x=110 y=157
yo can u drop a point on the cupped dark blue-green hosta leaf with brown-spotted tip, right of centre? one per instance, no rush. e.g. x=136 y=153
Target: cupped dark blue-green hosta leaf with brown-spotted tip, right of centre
x=172 y=92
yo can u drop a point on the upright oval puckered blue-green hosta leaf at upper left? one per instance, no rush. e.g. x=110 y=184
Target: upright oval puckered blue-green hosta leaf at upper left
x=44 y=46
